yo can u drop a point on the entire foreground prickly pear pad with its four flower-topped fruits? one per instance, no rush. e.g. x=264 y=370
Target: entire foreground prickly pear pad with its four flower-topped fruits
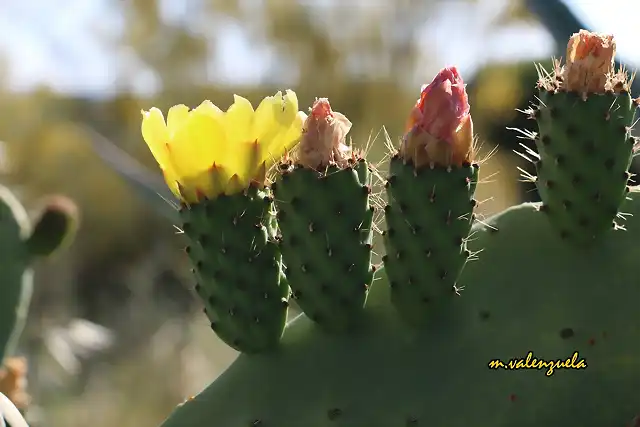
x=440 y=341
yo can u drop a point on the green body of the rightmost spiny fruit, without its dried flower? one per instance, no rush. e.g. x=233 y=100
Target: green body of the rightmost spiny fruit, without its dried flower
x=585 y=148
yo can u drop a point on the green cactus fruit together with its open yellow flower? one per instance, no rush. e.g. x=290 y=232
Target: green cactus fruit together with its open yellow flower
x=227 y=211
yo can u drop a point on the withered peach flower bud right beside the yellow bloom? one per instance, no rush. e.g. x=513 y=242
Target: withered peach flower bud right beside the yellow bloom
x=324 y=136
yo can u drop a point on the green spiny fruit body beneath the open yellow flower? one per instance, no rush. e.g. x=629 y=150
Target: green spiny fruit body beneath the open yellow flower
x=238 y=267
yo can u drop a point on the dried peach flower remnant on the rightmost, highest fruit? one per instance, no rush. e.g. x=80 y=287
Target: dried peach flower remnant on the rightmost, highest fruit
x=590 y=62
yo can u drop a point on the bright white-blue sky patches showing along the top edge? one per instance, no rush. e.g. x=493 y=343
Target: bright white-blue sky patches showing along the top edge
x=53 y=42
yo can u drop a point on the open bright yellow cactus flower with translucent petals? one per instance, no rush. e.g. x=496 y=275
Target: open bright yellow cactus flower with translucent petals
x=206 y=152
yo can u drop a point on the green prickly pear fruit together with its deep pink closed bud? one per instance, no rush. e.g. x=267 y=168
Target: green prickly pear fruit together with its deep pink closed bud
x=430 y=187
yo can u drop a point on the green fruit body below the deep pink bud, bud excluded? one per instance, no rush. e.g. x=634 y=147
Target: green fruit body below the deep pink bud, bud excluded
x=429 y=216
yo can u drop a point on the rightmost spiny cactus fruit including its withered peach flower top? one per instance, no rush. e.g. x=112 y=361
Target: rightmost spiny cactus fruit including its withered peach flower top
x=584 y=142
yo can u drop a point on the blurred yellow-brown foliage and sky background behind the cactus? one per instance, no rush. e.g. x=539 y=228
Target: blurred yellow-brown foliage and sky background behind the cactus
x=115 y=336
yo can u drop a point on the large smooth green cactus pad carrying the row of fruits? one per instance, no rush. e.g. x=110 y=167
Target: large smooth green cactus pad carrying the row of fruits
x=387 y=376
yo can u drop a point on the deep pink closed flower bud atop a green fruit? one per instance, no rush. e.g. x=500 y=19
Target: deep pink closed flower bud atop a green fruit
x=440 y=129
